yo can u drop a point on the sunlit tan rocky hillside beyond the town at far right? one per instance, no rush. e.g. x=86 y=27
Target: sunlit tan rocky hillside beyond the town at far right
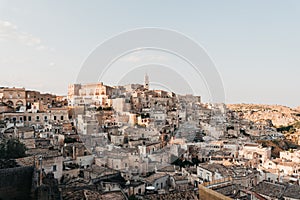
x=279 y=115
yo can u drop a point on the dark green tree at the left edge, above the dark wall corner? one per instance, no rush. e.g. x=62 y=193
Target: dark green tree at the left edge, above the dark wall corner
x=11 y=149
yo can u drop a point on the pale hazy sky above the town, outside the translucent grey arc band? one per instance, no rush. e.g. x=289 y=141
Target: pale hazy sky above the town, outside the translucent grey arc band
x=254 y=45
